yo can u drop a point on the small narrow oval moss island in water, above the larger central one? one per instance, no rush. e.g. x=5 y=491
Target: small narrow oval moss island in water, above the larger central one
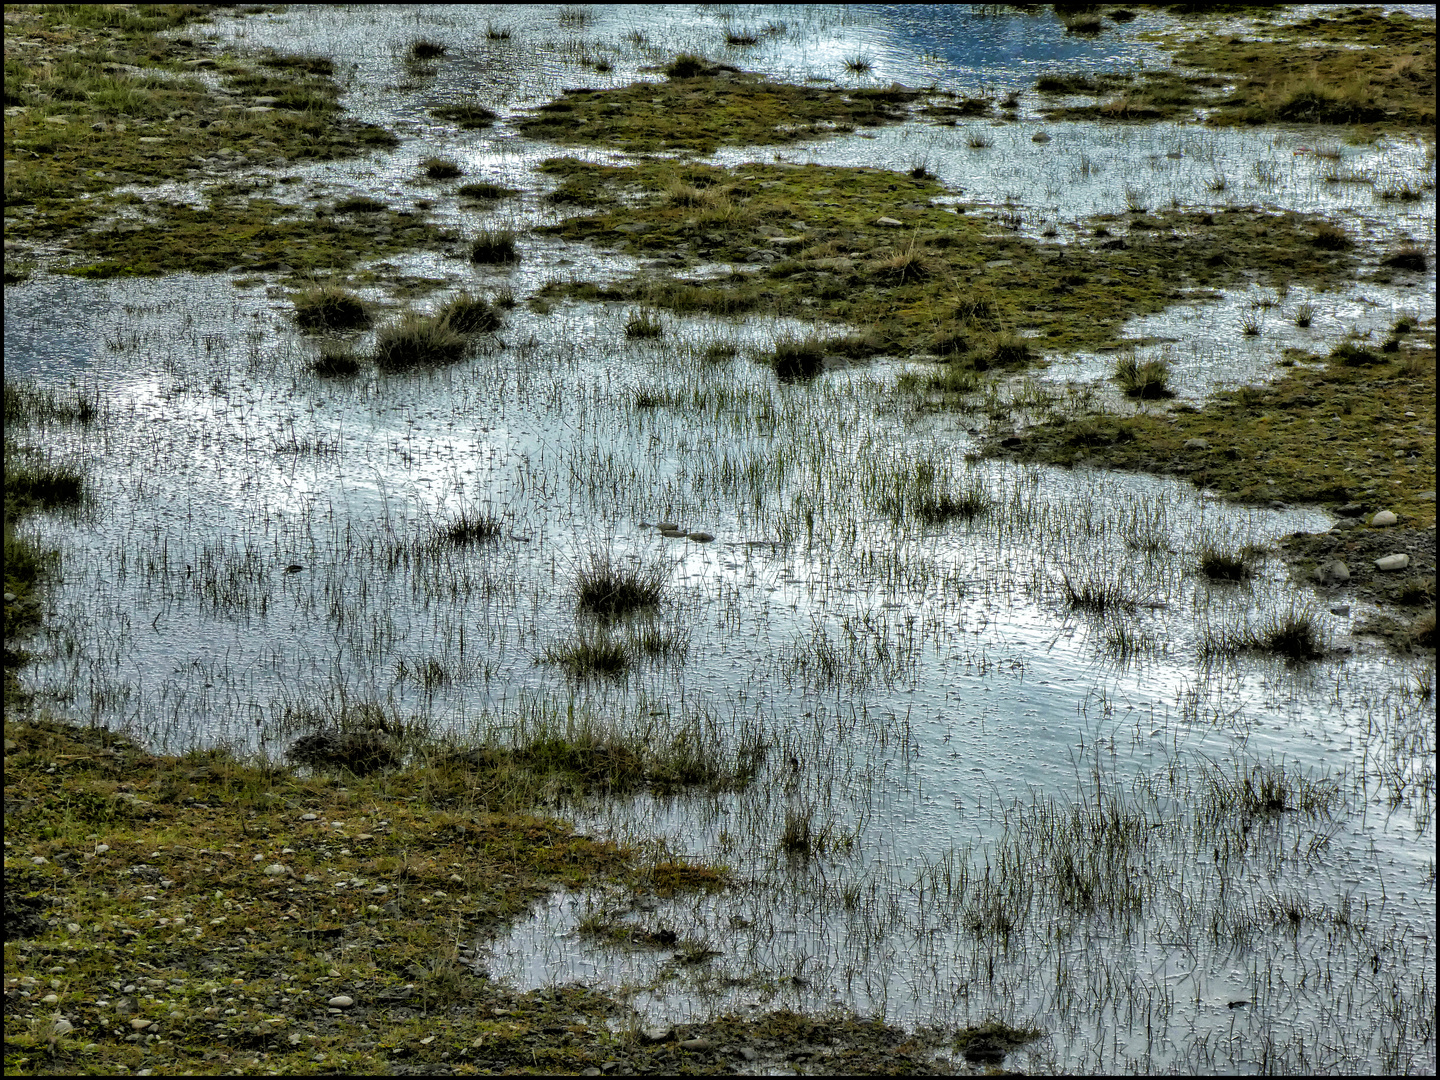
x=714 y=107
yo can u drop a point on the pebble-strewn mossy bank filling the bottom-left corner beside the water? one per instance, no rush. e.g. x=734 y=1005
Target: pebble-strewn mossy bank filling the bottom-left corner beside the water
x=201 y=915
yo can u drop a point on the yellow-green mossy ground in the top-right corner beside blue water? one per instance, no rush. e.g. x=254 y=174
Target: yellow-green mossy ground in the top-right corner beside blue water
x=1354 y=67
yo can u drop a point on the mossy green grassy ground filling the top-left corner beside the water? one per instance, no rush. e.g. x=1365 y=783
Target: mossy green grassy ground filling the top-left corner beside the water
x=96 y=102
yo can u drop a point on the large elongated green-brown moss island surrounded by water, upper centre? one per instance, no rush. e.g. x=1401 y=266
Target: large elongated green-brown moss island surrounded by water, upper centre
x=876 y=250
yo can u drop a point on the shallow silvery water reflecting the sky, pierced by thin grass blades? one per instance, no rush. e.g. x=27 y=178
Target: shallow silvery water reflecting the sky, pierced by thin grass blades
x=930 y=682
